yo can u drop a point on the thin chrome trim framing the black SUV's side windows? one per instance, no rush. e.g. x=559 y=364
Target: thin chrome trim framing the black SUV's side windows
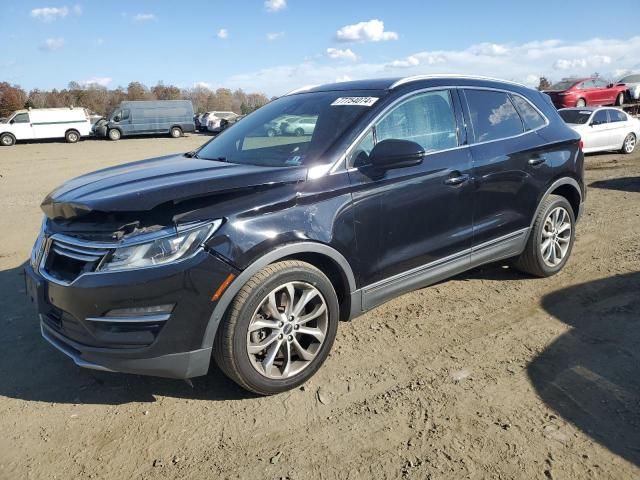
x=342 y=159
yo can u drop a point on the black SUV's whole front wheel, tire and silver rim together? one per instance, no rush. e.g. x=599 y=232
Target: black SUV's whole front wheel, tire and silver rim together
x=279 y=329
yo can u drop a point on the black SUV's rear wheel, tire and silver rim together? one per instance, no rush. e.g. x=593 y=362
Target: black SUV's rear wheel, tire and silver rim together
x=551 y=239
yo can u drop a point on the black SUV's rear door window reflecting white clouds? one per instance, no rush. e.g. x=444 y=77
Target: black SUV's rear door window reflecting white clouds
x=493 y=116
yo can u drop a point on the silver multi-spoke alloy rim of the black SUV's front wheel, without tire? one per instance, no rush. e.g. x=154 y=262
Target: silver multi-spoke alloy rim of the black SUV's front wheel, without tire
x=287 y=330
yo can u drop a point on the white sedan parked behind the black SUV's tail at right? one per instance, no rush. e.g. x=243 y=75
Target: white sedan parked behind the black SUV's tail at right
x=603 y=129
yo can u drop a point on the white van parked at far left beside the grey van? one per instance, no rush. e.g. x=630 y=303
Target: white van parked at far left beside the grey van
x=40 y=123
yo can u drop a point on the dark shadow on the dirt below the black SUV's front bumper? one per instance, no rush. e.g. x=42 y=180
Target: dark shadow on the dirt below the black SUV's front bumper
x=33 y=370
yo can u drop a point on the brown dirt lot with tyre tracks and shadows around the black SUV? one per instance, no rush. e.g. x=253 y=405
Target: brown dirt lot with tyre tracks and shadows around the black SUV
x=490 y=375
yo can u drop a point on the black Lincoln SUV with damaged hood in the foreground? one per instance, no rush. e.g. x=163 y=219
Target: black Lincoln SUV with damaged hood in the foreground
x=252 y=248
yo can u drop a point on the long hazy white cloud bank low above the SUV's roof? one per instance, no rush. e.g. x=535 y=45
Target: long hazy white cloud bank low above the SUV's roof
x=524 y=62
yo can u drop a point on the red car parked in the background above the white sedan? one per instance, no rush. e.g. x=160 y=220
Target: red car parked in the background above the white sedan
x=586 y=91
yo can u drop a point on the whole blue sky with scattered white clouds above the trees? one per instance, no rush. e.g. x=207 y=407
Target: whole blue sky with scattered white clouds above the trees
x=276 y=45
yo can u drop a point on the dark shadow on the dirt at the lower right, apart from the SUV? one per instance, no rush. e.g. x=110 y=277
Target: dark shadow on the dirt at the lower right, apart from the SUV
x=591 y=374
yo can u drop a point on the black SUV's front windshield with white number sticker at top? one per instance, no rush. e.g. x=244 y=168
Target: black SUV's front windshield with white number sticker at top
x=293 y=130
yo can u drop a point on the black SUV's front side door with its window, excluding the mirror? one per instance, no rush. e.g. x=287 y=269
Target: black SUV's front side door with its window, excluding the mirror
x=413 y=219
